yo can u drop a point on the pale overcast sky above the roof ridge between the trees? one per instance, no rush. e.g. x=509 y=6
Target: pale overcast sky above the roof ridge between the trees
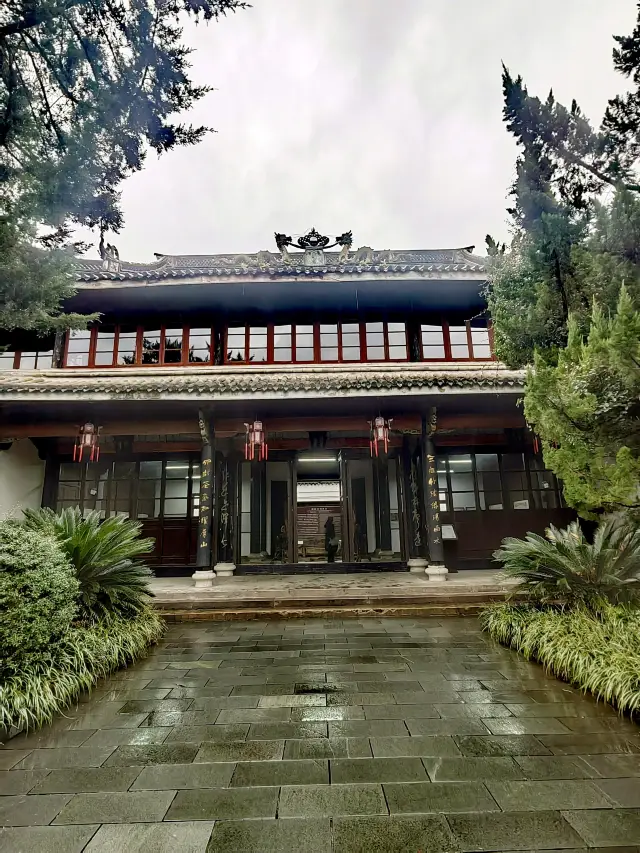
x=379 y=116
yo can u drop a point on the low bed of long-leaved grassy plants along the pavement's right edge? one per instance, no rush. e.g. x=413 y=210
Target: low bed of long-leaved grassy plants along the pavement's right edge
x=598 y=652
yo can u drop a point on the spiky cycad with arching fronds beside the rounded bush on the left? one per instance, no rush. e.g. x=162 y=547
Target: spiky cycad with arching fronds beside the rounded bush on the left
x=104 y=555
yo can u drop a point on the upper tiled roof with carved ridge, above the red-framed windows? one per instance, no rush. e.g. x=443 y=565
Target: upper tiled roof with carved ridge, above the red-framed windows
x=361 y=261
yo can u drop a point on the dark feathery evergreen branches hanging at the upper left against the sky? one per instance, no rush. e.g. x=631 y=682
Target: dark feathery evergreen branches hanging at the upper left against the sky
x=87 y=88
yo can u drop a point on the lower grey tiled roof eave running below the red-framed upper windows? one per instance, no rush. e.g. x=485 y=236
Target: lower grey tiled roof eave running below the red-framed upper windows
x=228 y=381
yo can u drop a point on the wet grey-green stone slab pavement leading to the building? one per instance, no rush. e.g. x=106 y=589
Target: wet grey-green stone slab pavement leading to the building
x=334 y=736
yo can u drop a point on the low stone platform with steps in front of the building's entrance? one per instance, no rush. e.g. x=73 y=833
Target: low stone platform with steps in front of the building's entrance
x=399 y=593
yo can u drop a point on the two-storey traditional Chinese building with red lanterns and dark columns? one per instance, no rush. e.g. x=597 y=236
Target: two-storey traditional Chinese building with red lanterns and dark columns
x=315 y=408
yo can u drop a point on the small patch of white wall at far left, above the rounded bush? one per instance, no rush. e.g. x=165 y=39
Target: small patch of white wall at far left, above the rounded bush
x=21 y=479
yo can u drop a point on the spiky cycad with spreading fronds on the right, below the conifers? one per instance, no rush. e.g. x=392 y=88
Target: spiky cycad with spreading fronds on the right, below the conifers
x=565 y=568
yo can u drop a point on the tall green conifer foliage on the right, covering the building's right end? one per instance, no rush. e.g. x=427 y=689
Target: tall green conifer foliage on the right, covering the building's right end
x=566 y=293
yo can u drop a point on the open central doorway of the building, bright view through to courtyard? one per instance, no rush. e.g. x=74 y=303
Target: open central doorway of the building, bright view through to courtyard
x=319 y=529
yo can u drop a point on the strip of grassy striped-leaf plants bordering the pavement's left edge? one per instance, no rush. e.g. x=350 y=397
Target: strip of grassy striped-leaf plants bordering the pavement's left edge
x=48 y=685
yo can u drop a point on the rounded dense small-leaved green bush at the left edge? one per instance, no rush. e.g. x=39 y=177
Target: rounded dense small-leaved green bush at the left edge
x=38 y=594
